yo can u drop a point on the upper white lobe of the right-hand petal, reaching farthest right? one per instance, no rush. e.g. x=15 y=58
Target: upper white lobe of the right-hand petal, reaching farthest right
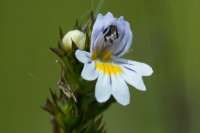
x=143 y=69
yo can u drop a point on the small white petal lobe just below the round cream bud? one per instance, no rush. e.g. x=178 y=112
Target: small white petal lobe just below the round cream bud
x=82 y=56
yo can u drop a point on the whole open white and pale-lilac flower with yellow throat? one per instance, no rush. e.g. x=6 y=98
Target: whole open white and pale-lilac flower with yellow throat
x=111 y=38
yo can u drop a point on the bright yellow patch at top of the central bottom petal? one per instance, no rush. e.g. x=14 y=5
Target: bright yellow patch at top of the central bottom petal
x=108 y=68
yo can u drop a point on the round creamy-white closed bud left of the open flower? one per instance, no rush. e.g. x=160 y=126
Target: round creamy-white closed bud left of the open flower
x=77 y=37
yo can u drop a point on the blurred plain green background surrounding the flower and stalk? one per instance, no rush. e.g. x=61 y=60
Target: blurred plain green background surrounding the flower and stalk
x=166 y=36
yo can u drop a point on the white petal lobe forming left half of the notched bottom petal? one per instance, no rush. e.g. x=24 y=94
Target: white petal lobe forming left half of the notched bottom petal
x=103 y=87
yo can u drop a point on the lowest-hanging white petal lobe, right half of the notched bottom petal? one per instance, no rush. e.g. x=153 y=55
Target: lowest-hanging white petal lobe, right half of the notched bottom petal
x=120 y=90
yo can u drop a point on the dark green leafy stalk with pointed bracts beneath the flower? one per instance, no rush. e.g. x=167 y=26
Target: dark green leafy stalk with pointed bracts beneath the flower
x=73 y=107
